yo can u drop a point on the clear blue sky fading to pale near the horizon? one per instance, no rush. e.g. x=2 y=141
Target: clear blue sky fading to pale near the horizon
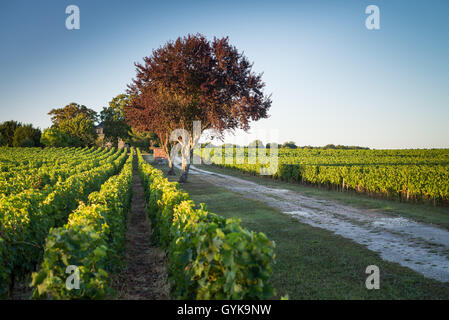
x=332 y=80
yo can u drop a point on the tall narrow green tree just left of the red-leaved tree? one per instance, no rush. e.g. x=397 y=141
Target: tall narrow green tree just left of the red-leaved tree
x=114 y=123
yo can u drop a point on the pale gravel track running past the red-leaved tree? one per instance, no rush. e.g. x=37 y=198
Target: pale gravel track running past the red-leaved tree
x=423 y=248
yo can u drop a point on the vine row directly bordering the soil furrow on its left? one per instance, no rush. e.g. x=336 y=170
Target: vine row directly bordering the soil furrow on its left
x=93 y=240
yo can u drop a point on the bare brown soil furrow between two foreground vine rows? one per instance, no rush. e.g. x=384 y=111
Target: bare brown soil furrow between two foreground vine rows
x=145 y=275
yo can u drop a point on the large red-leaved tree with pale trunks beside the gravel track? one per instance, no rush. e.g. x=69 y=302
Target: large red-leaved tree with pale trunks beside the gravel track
x=193 y=79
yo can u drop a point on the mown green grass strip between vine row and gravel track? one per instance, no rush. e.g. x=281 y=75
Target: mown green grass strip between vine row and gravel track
x=313 y=263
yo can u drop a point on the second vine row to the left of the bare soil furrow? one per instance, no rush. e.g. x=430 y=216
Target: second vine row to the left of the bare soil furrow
x=26 y=218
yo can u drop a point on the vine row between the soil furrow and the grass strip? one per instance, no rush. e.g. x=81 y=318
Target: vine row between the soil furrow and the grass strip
x=210 y=257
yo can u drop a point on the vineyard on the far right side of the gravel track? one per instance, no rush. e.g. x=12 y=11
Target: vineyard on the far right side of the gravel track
x=408 y=175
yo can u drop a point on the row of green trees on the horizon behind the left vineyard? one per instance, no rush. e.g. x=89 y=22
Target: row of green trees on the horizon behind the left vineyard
x=75 y=125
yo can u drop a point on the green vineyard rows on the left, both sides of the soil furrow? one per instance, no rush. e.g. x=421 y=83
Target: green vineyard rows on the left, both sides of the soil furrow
x=63 y=207
